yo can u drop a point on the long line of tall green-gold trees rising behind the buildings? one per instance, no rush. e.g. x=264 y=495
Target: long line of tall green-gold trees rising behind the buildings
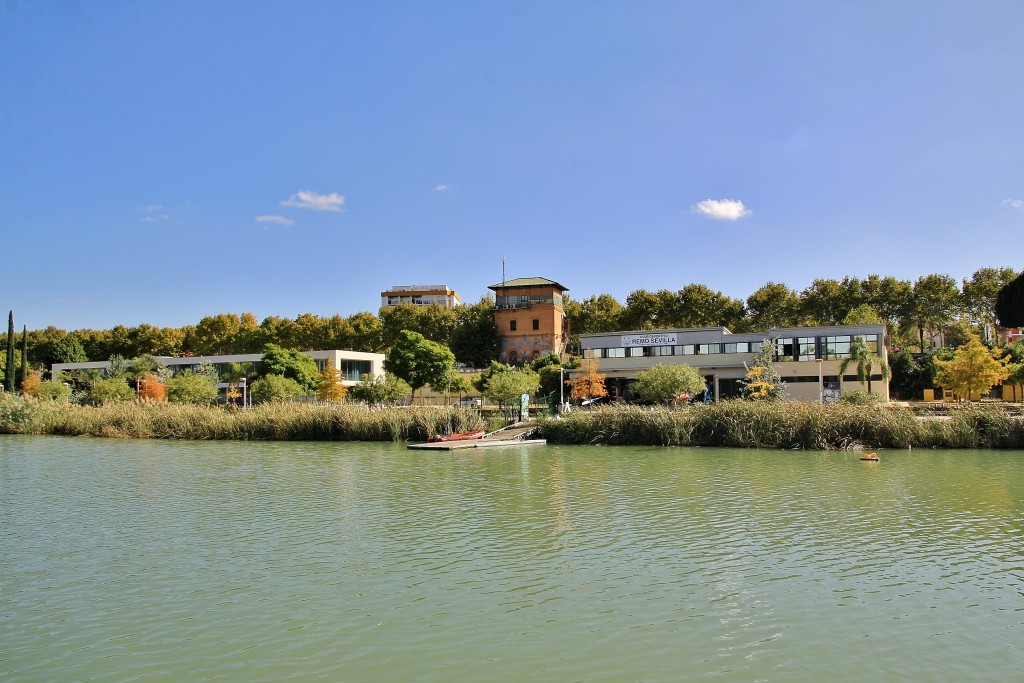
x=933 y=311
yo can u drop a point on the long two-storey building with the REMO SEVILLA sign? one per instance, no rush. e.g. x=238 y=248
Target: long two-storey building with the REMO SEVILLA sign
x=807 y=359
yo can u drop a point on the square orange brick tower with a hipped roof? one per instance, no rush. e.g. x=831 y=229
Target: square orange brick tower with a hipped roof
x=531 y=319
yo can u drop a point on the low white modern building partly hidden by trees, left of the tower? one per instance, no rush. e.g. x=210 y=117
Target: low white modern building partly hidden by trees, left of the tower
x=354 y=366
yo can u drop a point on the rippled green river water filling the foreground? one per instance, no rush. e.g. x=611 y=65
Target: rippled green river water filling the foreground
x=125 y=561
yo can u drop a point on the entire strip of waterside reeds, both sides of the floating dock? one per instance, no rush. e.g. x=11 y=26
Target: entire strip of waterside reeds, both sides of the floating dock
x=733 y=424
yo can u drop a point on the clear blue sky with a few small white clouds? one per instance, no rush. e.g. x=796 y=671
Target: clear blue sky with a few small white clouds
x=165 y=161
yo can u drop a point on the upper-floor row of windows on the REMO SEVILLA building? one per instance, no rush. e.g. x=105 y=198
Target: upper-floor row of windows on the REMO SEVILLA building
x=787 y=349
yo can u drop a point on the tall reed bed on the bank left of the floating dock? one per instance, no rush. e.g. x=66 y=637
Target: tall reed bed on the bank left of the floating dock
x=271 y=421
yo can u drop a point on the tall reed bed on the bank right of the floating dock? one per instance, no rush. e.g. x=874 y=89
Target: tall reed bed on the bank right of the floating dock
x=789 y=425
